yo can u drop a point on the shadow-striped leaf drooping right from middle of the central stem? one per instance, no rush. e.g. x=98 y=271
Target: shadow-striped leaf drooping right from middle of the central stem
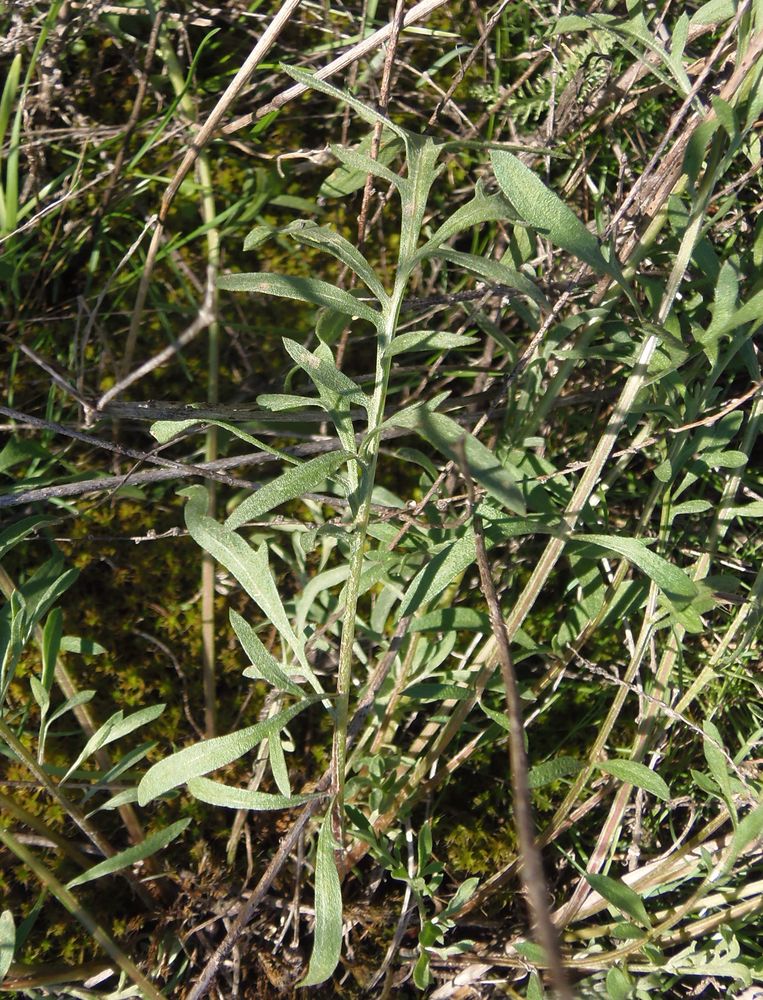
x=446 y=436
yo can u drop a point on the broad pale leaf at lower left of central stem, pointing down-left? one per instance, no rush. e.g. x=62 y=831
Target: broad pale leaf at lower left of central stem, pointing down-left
x=208 y=755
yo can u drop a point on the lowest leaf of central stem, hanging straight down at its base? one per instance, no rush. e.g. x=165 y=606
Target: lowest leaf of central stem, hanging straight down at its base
x=327 y=938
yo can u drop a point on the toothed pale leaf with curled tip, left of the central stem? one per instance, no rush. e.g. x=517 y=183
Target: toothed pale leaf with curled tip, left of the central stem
x=249 y=566
